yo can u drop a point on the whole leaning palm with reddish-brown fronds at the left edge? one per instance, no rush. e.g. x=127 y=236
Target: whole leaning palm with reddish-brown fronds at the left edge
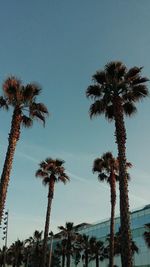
x=25 y=109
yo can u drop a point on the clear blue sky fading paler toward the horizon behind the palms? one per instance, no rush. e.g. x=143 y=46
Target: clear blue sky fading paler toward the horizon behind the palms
x=60 y=45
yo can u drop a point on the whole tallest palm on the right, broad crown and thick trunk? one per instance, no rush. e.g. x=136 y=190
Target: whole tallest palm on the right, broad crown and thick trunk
x=114 y=92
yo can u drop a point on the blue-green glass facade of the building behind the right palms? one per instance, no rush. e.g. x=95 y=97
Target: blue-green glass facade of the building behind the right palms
x=138 y=219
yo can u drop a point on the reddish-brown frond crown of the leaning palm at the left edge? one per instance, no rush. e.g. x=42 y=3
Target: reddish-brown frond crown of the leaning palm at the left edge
x=23 y=98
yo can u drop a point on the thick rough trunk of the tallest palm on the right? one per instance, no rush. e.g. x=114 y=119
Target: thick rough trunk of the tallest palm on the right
x=126 y=254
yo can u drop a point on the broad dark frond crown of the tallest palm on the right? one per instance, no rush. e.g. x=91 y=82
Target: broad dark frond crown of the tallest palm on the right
x=116 y=81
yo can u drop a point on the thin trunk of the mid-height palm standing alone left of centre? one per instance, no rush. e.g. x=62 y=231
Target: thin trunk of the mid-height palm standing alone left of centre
x=47 y=222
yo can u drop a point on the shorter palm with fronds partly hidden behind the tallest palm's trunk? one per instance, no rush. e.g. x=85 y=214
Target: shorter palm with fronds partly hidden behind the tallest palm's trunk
x=107 y=168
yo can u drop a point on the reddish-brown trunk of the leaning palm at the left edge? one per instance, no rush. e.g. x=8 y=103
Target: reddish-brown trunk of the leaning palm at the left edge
x=12 y=141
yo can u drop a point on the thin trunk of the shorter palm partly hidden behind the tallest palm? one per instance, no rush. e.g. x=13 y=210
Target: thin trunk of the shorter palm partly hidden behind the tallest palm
x=112 y=225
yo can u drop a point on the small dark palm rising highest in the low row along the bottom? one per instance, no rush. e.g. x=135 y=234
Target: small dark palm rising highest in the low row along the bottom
x=69 y=235
